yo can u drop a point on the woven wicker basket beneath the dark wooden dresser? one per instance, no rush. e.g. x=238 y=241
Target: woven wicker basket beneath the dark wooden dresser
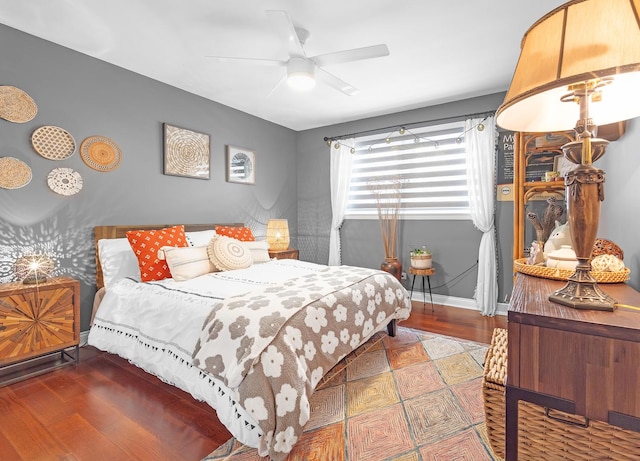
x=547 y=436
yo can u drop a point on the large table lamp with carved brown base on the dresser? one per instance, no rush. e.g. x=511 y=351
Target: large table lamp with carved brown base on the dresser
x=580 y=62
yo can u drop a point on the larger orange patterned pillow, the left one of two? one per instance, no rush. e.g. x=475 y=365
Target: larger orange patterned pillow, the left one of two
x=145 y=245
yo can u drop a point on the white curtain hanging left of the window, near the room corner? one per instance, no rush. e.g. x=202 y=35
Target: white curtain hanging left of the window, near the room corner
x=341 y=160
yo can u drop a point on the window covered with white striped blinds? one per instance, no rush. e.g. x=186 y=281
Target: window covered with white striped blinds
x=428 y=161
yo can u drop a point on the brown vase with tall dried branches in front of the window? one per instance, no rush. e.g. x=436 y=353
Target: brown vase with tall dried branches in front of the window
x=387 y=193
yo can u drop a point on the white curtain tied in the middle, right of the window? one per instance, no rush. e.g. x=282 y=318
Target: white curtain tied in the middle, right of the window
x=481 y=180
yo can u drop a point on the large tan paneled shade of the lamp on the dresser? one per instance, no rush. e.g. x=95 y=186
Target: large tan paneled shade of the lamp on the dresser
x=577 y=42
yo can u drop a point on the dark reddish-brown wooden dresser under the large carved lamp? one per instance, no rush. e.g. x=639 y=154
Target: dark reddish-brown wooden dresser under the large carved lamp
x=581 y=362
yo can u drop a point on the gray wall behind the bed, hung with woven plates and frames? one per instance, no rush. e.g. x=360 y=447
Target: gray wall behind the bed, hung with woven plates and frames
x=86 y=97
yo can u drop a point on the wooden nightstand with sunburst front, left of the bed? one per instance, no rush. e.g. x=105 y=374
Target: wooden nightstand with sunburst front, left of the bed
x=36 y=322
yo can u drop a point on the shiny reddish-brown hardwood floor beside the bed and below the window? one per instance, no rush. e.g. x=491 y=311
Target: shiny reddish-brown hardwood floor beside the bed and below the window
x=105 y=408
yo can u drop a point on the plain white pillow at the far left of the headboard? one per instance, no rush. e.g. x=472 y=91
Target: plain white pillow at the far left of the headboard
x=117 y=260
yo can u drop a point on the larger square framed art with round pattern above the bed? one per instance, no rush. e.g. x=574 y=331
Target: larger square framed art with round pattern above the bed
x=186 y=152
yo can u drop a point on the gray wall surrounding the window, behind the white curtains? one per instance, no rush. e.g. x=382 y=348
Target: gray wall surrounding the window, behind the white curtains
x=454 y=243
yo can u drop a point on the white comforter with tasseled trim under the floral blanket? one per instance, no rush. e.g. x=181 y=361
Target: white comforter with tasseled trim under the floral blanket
x=156 y=325
